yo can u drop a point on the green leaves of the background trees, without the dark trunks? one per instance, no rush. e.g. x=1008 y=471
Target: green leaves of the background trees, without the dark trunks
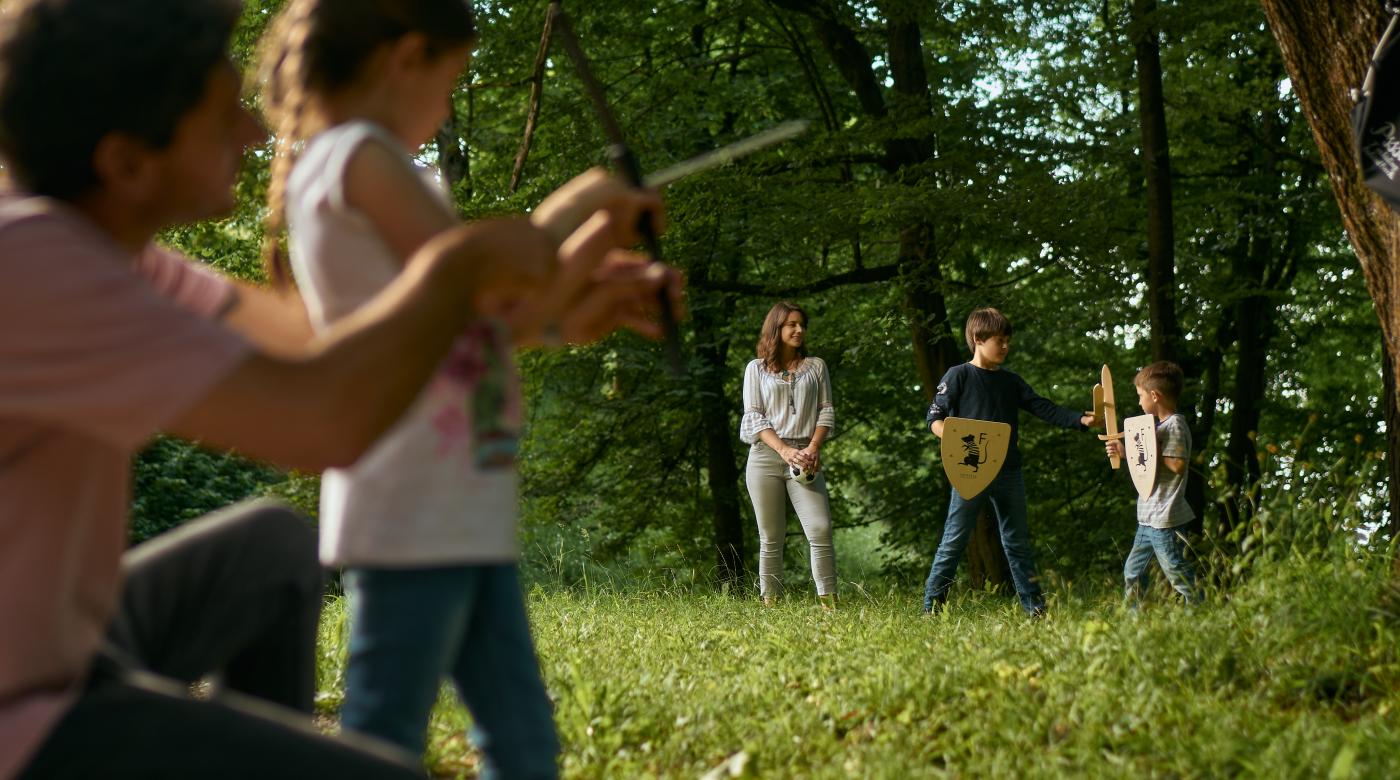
x=1035 y=205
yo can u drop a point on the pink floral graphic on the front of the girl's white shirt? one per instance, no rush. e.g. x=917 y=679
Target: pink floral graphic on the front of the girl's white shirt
x=488 y=418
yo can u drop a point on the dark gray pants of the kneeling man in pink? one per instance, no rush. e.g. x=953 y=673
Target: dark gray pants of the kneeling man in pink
x=237 y=593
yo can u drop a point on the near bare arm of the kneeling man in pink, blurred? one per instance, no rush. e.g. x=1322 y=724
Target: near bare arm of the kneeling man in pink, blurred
x=327 y=407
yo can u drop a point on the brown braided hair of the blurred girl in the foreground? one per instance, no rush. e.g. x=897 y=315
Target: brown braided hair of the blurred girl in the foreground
x=317 y=48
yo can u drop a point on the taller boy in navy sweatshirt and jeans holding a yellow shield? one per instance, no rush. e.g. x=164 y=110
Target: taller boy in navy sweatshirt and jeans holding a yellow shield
x=981 y=390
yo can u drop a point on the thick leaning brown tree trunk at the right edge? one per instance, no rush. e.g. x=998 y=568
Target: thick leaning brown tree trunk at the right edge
x=1328 y=46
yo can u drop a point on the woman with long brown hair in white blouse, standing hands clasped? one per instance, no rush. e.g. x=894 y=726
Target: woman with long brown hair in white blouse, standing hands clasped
x=787 y=415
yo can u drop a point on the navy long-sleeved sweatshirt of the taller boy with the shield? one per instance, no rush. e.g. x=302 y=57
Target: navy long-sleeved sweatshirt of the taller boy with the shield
x=978 y=394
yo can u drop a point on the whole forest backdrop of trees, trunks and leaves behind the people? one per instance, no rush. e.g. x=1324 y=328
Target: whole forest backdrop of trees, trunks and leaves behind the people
x=1126 y=181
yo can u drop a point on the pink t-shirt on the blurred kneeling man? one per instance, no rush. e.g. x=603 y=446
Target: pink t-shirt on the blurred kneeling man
x=99 y=351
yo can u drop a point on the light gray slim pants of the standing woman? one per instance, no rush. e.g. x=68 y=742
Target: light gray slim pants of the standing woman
x=769 y=484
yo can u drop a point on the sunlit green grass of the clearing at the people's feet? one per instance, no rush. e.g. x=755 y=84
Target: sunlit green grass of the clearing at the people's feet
x=1294 y=673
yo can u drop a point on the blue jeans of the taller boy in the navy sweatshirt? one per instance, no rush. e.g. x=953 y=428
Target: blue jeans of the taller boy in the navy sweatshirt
x=1009 y=502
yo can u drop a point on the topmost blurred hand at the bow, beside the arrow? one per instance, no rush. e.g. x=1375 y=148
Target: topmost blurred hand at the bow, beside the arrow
x=572 y=205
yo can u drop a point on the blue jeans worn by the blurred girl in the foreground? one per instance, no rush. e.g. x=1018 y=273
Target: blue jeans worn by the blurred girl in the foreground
x=409 y=628
